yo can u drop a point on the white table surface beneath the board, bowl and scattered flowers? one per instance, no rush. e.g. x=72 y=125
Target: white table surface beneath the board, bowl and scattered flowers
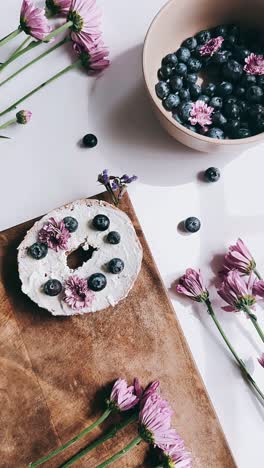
x=43 y=166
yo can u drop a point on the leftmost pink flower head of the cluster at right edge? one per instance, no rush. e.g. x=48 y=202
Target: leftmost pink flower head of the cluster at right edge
x=192 y=285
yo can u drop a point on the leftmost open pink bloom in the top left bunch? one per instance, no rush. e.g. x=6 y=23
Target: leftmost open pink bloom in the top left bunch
x=33 y=20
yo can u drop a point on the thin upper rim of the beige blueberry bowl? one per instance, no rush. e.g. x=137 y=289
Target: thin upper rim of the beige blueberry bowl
x=166 y=114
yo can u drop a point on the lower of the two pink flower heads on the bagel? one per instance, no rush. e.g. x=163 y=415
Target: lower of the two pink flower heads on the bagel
x=77 y=294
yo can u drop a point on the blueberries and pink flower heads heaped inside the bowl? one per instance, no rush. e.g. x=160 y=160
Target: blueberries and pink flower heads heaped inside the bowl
x=214 y=83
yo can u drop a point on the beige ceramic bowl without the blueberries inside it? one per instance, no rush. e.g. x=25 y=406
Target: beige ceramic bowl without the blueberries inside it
x=176 y=21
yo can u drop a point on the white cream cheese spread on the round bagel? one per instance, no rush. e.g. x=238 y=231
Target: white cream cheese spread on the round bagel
x=35 y=273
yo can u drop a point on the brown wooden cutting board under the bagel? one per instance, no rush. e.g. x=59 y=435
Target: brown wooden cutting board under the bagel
x=55 y=372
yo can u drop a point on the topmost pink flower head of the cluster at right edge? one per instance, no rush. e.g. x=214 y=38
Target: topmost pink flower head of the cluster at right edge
x=239 y=258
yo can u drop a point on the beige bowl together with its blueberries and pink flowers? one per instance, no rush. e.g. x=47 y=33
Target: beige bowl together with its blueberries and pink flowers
x=203 y=67
